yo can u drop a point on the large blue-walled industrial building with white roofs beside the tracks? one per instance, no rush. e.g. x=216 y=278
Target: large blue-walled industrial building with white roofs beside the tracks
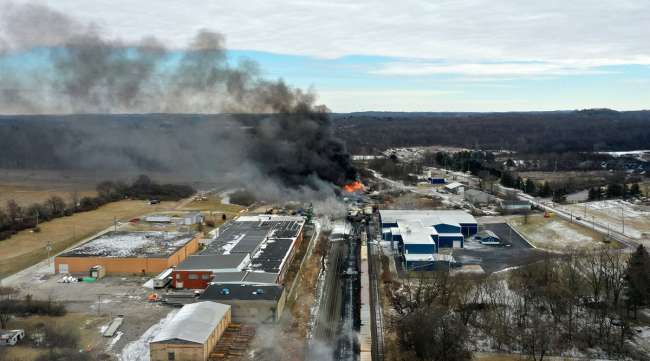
x=419 y=235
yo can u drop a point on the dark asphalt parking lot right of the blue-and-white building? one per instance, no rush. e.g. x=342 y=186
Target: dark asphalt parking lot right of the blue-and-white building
x=515 y=252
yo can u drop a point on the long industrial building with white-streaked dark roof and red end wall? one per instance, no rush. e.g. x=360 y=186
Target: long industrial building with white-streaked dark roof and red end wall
x=249 y=250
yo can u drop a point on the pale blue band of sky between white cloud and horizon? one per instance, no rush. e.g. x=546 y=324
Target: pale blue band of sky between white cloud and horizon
x=355 y=83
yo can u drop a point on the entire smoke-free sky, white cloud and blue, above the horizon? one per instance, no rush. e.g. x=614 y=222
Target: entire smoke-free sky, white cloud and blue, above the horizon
x=416 y=55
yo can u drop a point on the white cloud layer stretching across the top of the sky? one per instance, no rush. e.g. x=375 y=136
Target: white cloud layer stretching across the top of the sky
x=599 y=31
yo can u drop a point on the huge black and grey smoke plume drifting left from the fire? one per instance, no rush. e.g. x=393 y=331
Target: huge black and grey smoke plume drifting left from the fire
x=84 y=72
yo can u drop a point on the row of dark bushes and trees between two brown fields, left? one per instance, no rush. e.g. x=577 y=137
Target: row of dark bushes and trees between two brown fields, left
x=14 y=218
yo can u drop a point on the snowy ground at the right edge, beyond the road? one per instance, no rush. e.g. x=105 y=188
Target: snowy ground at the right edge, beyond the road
x=615 y=213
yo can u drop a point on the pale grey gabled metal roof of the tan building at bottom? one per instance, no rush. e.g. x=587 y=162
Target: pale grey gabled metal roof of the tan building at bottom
x=194 y=323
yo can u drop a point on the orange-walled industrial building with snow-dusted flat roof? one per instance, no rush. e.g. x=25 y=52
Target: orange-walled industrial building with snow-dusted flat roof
x=128 y=253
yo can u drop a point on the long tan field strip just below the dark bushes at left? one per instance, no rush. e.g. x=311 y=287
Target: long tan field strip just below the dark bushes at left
x=27 y=248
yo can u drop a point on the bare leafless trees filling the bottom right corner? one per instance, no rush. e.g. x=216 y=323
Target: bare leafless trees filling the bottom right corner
x=581 y=301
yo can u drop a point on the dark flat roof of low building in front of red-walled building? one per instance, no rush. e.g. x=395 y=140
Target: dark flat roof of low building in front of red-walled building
x=245 y=292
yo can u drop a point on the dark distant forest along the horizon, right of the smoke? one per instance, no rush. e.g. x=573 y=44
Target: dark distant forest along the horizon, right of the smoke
x=539 y=132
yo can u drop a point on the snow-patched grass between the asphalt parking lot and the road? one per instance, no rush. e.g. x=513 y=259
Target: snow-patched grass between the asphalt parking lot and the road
x=556 y=234
